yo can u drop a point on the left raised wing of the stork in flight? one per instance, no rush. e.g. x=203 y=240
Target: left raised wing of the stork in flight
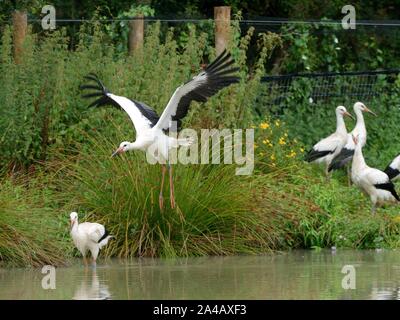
x=142 y=116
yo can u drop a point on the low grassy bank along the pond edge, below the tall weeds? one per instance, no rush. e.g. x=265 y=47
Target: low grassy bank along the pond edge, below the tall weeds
x=217 y=212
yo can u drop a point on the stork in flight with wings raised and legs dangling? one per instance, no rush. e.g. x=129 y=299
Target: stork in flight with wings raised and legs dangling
x=151 y=129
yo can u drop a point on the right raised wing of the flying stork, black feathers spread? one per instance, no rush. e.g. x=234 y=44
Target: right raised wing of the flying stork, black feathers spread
x=207 y=83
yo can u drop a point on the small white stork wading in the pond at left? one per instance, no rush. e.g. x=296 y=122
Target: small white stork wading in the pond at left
x=88 y=236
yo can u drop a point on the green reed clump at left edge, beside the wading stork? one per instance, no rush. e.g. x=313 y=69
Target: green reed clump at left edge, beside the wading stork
x=31 y=230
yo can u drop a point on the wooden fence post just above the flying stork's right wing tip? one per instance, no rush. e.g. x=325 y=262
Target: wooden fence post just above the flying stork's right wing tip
x=222 y=17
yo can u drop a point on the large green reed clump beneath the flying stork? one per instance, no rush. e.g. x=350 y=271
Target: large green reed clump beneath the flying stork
x=214 y=215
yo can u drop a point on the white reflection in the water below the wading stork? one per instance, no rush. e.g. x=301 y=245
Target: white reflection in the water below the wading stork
x=90 y=288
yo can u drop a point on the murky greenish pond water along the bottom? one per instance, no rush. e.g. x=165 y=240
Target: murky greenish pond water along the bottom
x=292 y=275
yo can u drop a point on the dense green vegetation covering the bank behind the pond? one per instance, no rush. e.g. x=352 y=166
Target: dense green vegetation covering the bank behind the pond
x=55 y=153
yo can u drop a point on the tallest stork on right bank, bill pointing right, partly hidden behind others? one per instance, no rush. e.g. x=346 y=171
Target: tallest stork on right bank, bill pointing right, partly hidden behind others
x=346 y=154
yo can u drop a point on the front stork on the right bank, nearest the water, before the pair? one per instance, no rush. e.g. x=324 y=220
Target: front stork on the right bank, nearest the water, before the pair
x=372 y=182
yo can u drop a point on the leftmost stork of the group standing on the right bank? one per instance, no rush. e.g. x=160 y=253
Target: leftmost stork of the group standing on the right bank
x=326 y=149
